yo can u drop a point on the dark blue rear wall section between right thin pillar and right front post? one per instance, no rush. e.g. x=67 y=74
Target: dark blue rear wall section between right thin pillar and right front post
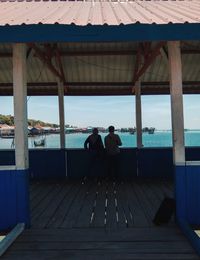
x=155 y=162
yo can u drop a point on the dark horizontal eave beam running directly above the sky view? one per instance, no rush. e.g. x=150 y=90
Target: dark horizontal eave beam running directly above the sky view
x=103 y=88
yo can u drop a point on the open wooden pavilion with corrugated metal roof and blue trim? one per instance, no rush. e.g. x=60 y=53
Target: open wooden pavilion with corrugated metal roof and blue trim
x=99 y=48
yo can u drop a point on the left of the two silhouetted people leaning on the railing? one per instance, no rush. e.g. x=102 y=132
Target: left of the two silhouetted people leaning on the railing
x=95 y=147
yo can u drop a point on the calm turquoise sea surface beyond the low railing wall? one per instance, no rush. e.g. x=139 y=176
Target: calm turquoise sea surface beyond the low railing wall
x=158 y=139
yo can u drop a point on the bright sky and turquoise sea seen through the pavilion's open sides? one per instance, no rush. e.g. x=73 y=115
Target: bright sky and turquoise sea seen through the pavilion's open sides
x=100 y=111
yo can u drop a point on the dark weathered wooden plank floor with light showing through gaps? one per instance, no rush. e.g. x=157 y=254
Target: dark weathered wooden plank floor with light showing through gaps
x=99 y=220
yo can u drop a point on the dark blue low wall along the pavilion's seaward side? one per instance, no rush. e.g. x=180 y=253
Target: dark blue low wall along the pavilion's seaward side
x=50 y=163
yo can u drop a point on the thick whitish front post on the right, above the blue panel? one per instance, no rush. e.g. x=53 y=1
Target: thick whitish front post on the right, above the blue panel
x=175 y=72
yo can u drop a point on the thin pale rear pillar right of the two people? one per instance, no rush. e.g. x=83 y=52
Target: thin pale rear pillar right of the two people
x=138 y=114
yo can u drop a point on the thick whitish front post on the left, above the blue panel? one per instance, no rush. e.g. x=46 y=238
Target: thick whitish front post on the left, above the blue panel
x=20 y=105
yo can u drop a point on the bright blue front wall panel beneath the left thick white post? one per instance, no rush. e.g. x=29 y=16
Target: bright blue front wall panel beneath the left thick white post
x=14 y=198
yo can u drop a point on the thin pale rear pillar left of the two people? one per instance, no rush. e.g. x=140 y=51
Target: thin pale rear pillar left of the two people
x=61 y=113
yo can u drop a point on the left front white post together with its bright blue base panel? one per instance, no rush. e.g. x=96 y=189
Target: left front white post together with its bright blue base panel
x=14 y=181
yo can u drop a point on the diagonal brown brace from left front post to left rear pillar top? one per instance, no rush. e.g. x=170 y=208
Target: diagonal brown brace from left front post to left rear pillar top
x=46 y=59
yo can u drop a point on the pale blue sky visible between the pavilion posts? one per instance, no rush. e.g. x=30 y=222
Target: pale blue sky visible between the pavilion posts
x=103 y=111
